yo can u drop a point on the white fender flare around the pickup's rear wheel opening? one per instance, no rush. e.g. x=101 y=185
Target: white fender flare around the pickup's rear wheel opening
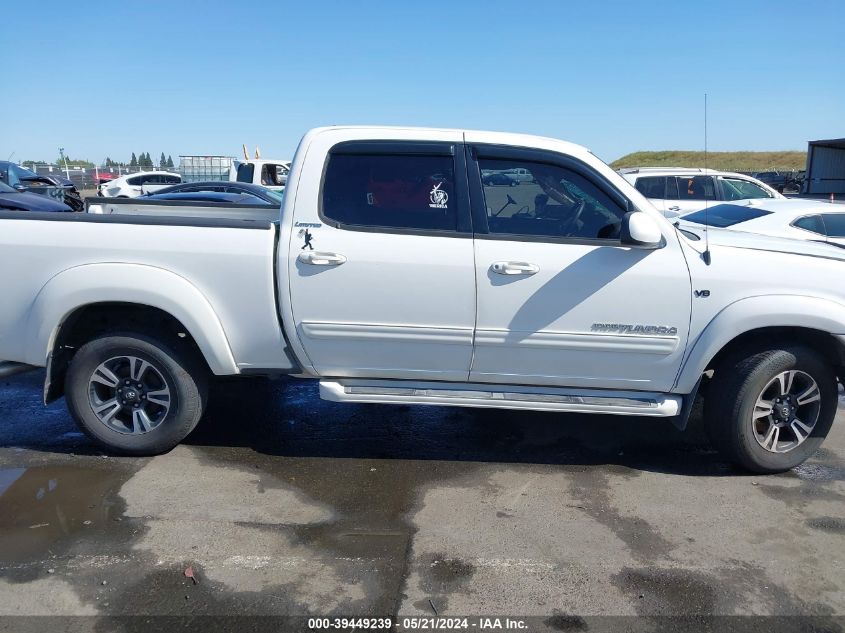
x=89 y=284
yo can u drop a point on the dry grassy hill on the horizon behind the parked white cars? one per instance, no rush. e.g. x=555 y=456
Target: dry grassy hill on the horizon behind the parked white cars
x=723 y=161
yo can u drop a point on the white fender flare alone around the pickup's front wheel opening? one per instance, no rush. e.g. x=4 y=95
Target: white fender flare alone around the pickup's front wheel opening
x=753 y=313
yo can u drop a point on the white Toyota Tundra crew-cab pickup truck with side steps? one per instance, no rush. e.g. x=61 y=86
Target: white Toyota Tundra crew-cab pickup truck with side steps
x=395 y=276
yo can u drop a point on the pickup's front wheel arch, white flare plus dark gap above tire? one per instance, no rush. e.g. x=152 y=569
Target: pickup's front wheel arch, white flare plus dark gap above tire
x=811 y=321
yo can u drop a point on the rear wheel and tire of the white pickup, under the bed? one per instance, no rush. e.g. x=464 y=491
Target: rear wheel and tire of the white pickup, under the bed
x=175 y=379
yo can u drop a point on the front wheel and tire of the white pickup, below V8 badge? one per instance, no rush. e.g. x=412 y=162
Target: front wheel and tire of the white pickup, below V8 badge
x=742 y=387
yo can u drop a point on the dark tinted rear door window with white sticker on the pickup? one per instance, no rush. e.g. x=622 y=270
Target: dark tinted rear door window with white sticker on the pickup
x=391 y=191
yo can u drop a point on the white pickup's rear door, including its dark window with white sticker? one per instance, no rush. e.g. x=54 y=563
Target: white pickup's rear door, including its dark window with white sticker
x=381 y=267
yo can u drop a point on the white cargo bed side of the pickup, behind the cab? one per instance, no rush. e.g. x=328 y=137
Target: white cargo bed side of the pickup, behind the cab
x=227 y=263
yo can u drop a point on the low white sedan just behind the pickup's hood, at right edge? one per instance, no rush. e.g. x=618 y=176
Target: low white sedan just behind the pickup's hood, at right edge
x=797 y=219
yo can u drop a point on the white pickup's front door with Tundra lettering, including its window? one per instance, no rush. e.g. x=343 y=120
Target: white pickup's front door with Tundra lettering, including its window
x=560 y=300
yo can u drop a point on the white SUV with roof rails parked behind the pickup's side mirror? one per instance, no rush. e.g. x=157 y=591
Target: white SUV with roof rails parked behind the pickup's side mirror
x=675 y=191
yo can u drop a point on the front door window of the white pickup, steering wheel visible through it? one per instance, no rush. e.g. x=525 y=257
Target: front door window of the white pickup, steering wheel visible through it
x=555 y=202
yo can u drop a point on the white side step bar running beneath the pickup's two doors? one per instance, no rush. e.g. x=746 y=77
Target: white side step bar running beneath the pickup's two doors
x=502 y=397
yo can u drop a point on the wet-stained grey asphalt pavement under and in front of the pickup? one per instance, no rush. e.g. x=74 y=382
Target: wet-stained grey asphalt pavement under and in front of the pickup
x=280 y=504
